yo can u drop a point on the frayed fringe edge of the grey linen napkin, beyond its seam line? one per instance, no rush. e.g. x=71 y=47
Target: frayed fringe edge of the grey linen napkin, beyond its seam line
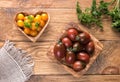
x=23 y=60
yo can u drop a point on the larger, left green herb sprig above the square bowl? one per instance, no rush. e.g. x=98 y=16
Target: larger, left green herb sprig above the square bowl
x=92 y=16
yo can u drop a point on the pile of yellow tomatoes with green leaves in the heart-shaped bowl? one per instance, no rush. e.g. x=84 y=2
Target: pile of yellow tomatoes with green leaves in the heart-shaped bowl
x=31 y=24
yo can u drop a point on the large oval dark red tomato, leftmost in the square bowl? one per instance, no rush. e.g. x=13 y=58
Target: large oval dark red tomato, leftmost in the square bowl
x=59 y=51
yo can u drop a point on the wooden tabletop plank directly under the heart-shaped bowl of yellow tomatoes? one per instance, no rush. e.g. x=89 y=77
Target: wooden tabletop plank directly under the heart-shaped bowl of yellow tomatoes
x=59 y=20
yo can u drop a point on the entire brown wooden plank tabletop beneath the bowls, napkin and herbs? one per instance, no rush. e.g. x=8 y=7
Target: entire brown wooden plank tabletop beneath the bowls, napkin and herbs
x=61 y=12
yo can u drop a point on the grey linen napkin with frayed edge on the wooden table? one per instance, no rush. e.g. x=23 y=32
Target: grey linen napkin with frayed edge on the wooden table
x=15 y=64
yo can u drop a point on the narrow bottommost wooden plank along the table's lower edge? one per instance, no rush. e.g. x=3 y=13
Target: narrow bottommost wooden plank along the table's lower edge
x=69 y=78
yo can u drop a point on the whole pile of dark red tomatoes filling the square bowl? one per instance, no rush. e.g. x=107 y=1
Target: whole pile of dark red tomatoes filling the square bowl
x=75 y=48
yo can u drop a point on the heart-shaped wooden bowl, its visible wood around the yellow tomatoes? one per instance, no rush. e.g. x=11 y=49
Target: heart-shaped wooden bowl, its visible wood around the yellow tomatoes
x=33 y=39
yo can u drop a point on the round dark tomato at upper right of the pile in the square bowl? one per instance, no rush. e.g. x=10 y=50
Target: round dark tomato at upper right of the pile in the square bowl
x=84 y=38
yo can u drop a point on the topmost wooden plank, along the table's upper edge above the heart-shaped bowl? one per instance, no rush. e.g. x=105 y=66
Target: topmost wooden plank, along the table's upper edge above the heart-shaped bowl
x=45 y=3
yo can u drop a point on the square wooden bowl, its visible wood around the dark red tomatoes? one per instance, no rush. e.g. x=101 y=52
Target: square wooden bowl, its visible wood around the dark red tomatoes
x=98 y=48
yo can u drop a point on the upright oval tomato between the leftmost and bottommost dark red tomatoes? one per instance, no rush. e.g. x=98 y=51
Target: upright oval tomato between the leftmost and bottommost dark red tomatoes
x=70 y=58
